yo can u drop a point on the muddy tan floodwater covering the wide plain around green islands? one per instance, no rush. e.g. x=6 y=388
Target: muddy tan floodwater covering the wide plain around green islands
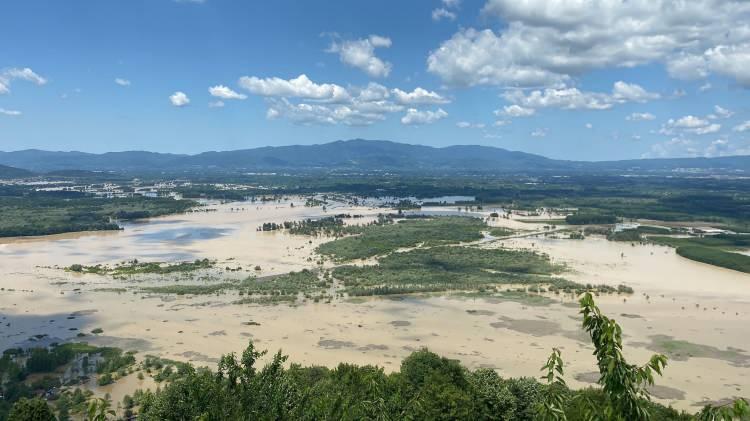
x=697 y=314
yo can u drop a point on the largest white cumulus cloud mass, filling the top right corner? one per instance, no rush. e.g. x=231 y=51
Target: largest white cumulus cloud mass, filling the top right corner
x=543 y=42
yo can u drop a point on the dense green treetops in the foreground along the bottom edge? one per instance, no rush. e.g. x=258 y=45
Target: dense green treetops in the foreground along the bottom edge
x=427 y=387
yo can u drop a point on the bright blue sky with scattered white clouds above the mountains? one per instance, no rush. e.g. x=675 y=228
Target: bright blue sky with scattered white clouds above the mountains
x=584 y=79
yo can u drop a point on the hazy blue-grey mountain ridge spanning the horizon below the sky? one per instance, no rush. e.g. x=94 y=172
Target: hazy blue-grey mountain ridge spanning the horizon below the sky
x=342 y=155
